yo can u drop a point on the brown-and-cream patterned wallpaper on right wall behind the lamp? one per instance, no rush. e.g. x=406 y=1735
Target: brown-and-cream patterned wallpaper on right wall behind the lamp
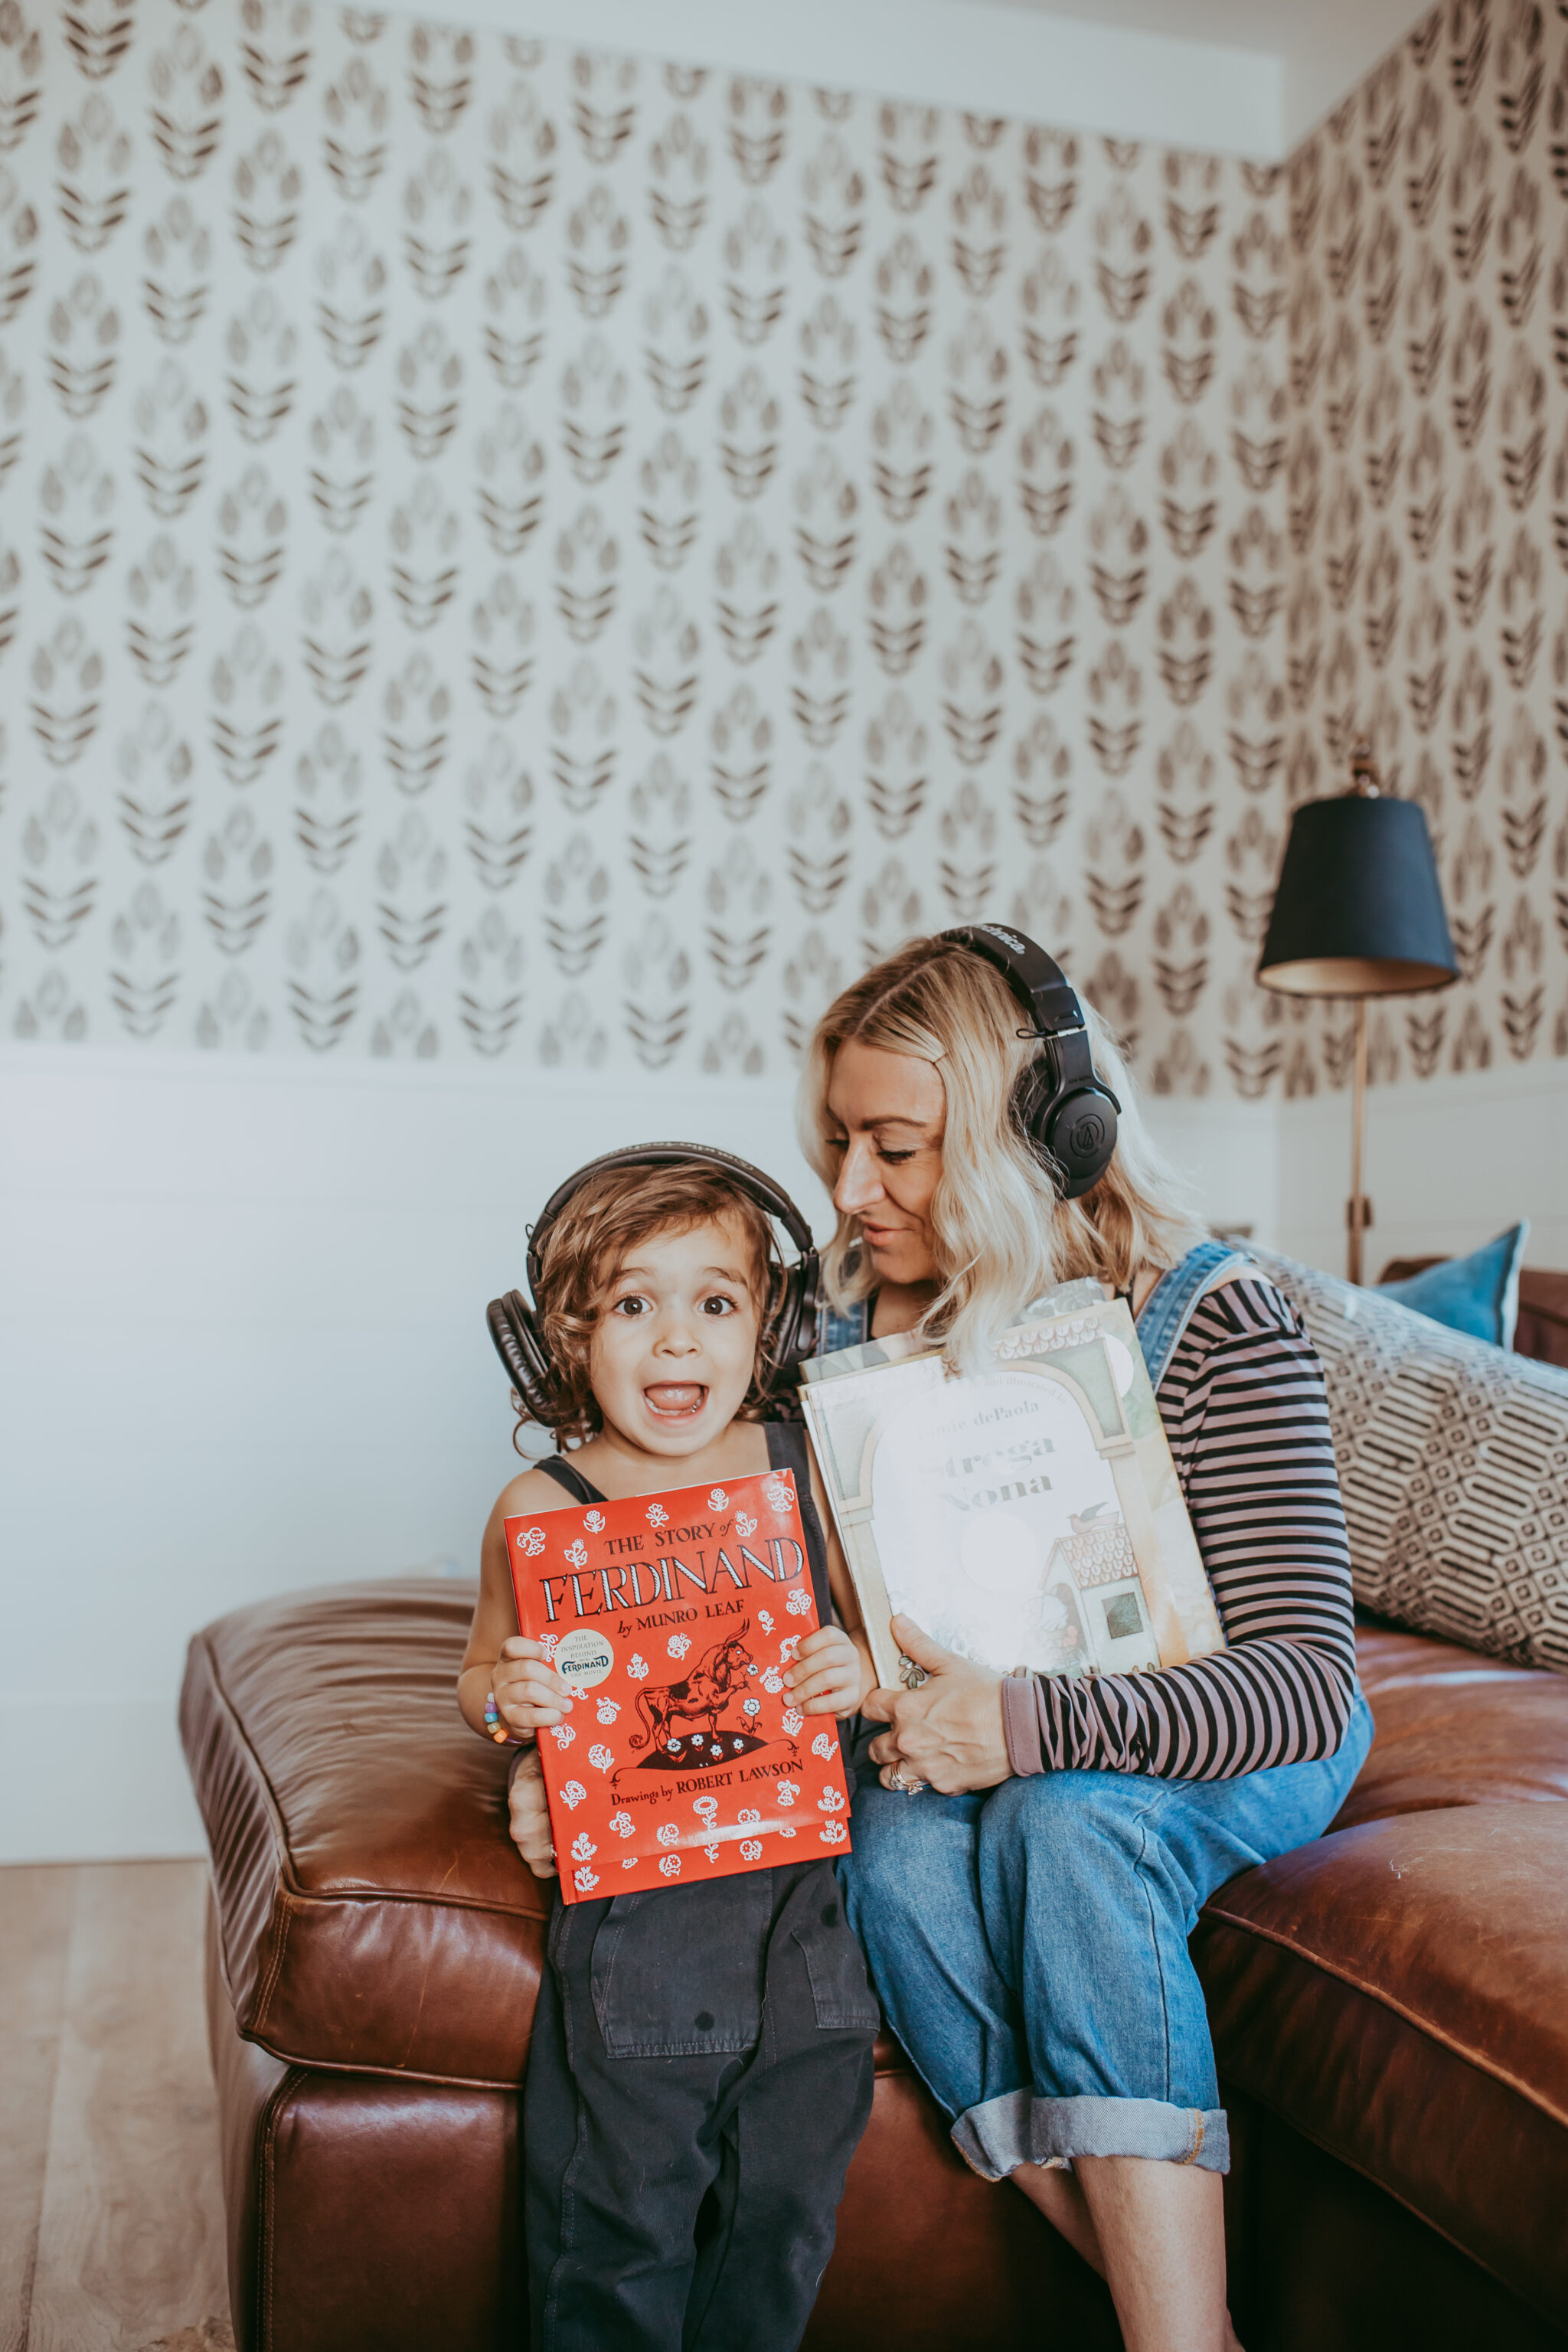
x=1428 y=507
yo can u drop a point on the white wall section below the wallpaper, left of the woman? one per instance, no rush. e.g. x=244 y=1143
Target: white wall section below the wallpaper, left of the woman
x=241 y=1351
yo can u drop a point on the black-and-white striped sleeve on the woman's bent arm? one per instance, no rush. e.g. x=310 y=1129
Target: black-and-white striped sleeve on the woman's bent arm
x=1247 y=1417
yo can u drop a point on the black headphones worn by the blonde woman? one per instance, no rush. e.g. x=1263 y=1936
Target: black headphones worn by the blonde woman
x=1064 y=1109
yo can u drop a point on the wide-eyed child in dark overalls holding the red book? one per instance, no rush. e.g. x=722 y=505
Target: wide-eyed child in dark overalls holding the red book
x=702 y=2062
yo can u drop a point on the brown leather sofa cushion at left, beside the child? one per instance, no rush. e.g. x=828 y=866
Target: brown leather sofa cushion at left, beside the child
x=373 y=1909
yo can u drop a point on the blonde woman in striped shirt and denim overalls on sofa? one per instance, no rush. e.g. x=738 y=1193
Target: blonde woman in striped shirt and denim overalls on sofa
x=1031 y=1855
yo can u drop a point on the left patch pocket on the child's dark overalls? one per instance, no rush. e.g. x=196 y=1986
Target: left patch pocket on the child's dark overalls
x=678 y=1972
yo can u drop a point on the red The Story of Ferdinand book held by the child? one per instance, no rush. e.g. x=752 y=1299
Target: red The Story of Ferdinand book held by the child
x=671 y=1619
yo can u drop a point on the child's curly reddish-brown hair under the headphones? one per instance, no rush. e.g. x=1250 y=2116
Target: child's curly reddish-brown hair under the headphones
x=587 y=1250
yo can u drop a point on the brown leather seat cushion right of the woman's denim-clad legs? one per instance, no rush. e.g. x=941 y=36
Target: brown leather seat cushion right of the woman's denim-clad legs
x=1400 y=1996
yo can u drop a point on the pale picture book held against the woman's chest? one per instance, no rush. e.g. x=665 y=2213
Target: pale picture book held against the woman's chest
x=1026 y=1516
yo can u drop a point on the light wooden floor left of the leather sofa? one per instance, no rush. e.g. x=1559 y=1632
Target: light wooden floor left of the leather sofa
x=112 y=2207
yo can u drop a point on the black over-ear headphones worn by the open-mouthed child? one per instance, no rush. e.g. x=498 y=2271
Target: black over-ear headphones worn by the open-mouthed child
x=791 y=1314
